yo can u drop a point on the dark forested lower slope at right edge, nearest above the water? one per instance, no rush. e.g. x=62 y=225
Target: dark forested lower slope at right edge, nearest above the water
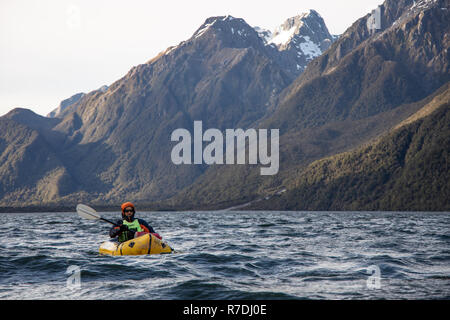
x=406 y=169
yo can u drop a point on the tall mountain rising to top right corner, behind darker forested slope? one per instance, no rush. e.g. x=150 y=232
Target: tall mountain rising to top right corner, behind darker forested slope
x=366 y=83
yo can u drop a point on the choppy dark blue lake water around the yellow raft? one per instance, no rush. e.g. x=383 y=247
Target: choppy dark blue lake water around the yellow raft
x=232 y=255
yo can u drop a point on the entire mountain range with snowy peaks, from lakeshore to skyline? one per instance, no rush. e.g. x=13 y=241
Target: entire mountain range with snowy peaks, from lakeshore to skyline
x=376 y=81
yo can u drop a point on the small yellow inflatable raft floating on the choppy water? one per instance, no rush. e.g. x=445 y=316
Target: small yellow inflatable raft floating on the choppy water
x=145 y=244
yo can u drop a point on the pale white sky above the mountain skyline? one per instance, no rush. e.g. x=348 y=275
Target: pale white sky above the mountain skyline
x=53 y=49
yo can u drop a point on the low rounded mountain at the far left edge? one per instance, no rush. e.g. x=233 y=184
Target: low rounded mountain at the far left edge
x=30 y=169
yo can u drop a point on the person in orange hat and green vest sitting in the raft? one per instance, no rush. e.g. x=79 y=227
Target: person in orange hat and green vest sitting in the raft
x=128 y=225
